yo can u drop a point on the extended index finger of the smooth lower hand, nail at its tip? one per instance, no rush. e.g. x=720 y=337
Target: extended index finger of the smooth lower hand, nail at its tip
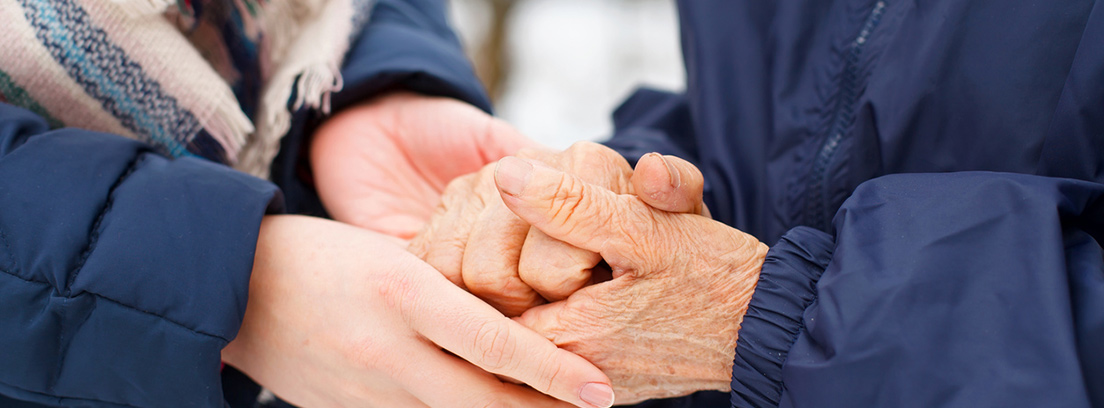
x=460 y=323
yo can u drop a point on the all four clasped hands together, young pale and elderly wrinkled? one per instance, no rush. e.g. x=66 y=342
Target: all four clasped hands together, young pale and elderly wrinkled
x=613 y=277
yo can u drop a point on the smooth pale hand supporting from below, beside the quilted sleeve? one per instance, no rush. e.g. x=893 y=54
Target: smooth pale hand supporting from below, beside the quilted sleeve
x=343 y=317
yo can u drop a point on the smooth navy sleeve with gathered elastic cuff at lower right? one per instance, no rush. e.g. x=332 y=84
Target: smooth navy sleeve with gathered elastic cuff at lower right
x=936 y=291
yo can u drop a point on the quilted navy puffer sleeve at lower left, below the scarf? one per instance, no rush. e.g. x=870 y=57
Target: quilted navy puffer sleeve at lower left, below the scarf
x=123 y=274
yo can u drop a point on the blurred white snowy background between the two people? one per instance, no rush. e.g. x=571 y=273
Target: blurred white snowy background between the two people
x=557 y=69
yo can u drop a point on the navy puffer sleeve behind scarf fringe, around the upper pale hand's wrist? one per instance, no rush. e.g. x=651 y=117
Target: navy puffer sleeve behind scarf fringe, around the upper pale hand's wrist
x=407 y=45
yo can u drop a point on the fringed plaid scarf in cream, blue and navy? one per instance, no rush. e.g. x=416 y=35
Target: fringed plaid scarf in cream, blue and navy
x=211 y=79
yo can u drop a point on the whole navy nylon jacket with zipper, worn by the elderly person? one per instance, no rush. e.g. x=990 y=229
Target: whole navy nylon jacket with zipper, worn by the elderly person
x=928 y=175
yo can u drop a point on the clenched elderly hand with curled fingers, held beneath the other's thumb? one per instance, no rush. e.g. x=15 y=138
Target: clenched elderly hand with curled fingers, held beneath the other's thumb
x=479 y=244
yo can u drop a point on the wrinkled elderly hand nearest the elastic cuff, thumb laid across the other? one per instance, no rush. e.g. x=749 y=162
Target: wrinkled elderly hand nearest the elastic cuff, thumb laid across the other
x=666 y=325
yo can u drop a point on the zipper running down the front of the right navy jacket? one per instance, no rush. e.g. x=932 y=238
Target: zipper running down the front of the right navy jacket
x=850 y=89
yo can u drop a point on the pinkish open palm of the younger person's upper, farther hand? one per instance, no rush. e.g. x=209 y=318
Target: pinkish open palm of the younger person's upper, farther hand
x=384 y=166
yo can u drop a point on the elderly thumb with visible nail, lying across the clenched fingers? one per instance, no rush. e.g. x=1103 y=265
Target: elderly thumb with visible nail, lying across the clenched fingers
x=567 y=208
